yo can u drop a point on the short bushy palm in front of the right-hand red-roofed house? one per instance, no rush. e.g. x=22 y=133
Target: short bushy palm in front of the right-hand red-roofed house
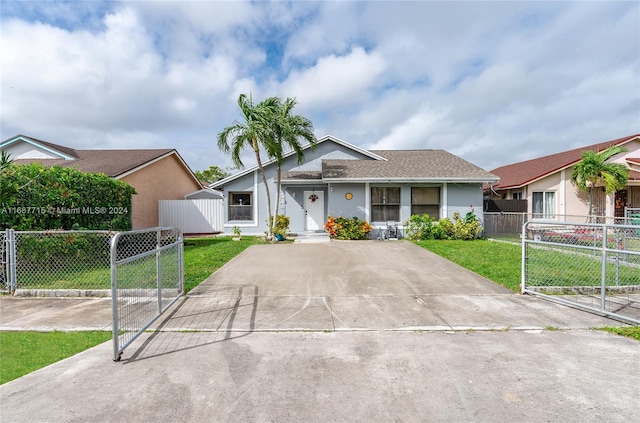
x=593 y=170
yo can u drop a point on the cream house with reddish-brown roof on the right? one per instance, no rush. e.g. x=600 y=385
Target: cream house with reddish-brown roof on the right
x=545 y=183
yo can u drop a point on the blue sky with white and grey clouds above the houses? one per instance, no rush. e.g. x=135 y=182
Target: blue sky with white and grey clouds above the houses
x=492 y=82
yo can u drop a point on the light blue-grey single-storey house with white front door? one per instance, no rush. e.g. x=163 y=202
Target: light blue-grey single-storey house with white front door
x=340 y=179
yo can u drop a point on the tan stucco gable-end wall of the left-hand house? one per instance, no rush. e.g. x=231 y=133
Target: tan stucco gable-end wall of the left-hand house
x=166 y=179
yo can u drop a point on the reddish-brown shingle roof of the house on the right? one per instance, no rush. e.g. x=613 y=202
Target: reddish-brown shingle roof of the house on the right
x=519 y=174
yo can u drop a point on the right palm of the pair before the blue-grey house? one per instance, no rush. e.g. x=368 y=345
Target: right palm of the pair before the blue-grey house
x=286 y=132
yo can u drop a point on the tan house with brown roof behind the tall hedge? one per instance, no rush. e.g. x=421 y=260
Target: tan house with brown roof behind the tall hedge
x=156 y=174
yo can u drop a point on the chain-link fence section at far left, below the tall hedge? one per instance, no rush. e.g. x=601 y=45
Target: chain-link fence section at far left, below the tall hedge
x=74 y=263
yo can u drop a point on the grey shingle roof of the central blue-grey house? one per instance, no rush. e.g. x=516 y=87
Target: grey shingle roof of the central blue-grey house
x=407 y=165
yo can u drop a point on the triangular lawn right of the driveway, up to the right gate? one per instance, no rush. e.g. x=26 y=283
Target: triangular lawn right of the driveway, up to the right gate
x=498 y=261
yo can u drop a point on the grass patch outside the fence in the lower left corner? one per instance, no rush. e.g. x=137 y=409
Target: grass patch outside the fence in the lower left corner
x=25 y=352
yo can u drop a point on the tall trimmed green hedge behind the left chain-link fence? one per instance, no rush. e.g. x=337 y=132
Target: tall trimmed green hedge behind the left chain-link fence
x=64 y=198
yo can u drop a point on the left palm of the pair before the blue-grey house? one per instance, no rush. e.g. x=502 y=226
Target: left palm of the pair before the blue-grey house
x=252 y=133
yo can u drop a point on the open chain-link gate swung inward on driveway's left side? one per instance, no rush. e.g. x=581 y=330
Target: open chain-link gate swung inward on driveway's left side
x=147 y=277
